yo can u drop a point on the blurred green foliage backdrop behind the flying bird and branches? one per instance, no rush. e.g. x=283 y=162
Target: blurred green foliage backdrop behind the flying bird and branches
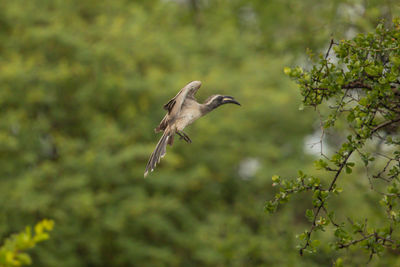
x=82 y=84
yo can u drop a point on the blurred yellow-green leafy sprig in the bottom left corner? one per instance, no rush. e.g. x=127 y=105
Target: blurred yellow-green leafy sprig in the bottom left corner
x=12 y=252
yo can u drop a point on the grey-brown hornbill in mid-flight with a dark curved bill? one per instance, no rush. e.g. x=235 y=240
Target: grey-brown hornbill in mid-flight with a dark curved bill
x=183 y=110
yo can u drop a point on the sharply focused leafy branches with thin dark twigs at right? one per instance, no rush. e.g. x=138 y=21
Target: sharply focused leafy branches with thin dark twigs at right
x=361 y=86
